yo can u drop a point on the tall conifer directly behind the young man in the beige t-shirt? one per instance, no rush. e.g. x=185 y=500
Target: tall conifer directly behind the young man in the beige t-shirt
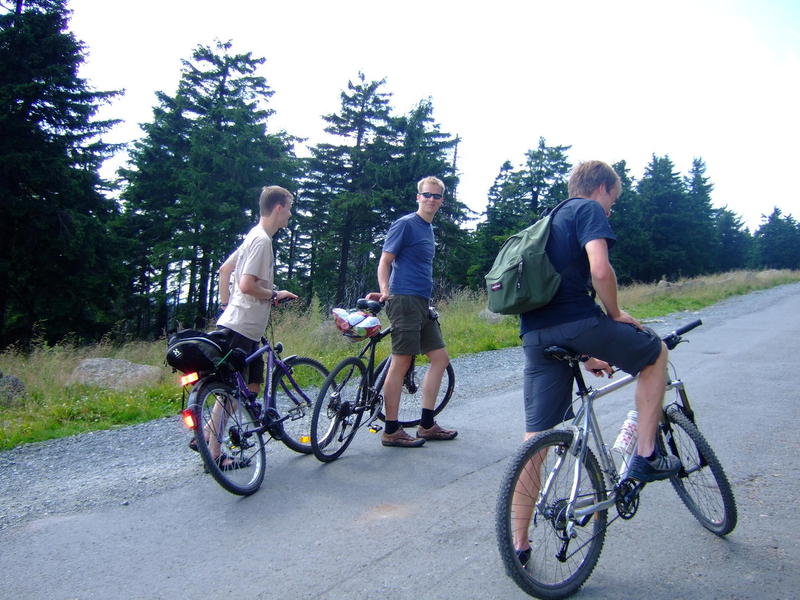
x=209 y=148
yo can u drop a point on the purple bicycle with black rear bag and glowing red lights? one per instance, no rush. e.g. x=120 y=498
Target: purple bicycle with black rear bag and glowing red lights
x=230 y=422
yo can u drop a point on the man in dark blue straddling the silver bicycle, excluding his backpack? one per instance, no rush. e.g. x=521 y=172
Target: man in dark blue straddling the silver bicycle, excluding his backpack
x=578 y=247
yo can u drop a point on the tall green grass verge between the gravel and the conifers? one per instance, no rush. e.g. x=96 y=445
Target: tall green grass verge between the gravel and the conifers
x=54 y=409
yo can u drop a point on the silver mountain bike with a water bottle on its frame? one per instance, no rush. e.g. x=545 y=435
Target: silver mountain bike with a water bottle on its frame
x=561 y=484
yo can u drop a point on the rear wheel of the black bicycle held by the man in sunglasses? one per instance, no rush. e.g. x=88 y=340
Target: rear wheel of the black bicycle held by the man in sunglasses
x=336 y=411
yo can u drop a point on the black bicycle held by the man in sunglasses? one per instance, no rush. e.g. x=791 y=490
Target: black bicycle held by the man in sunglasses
x=351 y=396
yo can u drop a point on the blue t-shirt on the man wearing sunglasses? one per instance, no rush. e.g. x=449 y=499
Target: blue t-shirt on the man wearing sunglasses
x=410 y=239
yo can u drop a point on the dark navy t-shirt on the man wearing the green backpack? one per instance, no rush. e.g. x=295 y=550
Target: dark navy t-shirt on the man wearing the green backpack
x=574 y=225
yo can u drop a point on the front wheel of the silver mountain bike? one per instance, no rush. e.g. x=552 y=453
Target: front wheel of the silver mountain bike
x=701 y=483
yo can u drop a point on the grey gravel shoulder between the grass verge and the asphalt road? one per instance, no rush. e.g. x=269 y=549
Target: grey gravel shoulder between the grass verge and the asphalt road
x=119 y=466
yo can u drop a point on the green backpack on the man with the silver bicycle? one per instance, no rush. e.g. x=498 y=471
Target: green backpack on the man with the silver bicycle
x=522 y=277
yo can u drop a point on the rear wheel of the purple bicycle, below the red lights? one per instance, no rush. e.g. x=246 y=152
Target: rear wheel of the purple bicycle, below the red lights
x=236 y=436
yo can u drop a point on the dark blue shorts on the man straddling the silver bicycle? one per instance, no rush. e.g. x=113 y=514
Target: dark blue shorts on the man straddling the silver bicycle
x=548 y=382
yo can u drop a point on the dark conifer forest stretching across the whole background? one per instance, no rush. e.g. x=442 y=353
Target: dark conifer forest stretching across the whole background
x=86 y=257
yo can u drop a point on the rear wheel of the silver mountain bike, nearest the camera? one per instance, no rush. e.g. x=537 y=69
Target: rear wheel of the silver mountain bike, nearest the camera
x=546 y=576
